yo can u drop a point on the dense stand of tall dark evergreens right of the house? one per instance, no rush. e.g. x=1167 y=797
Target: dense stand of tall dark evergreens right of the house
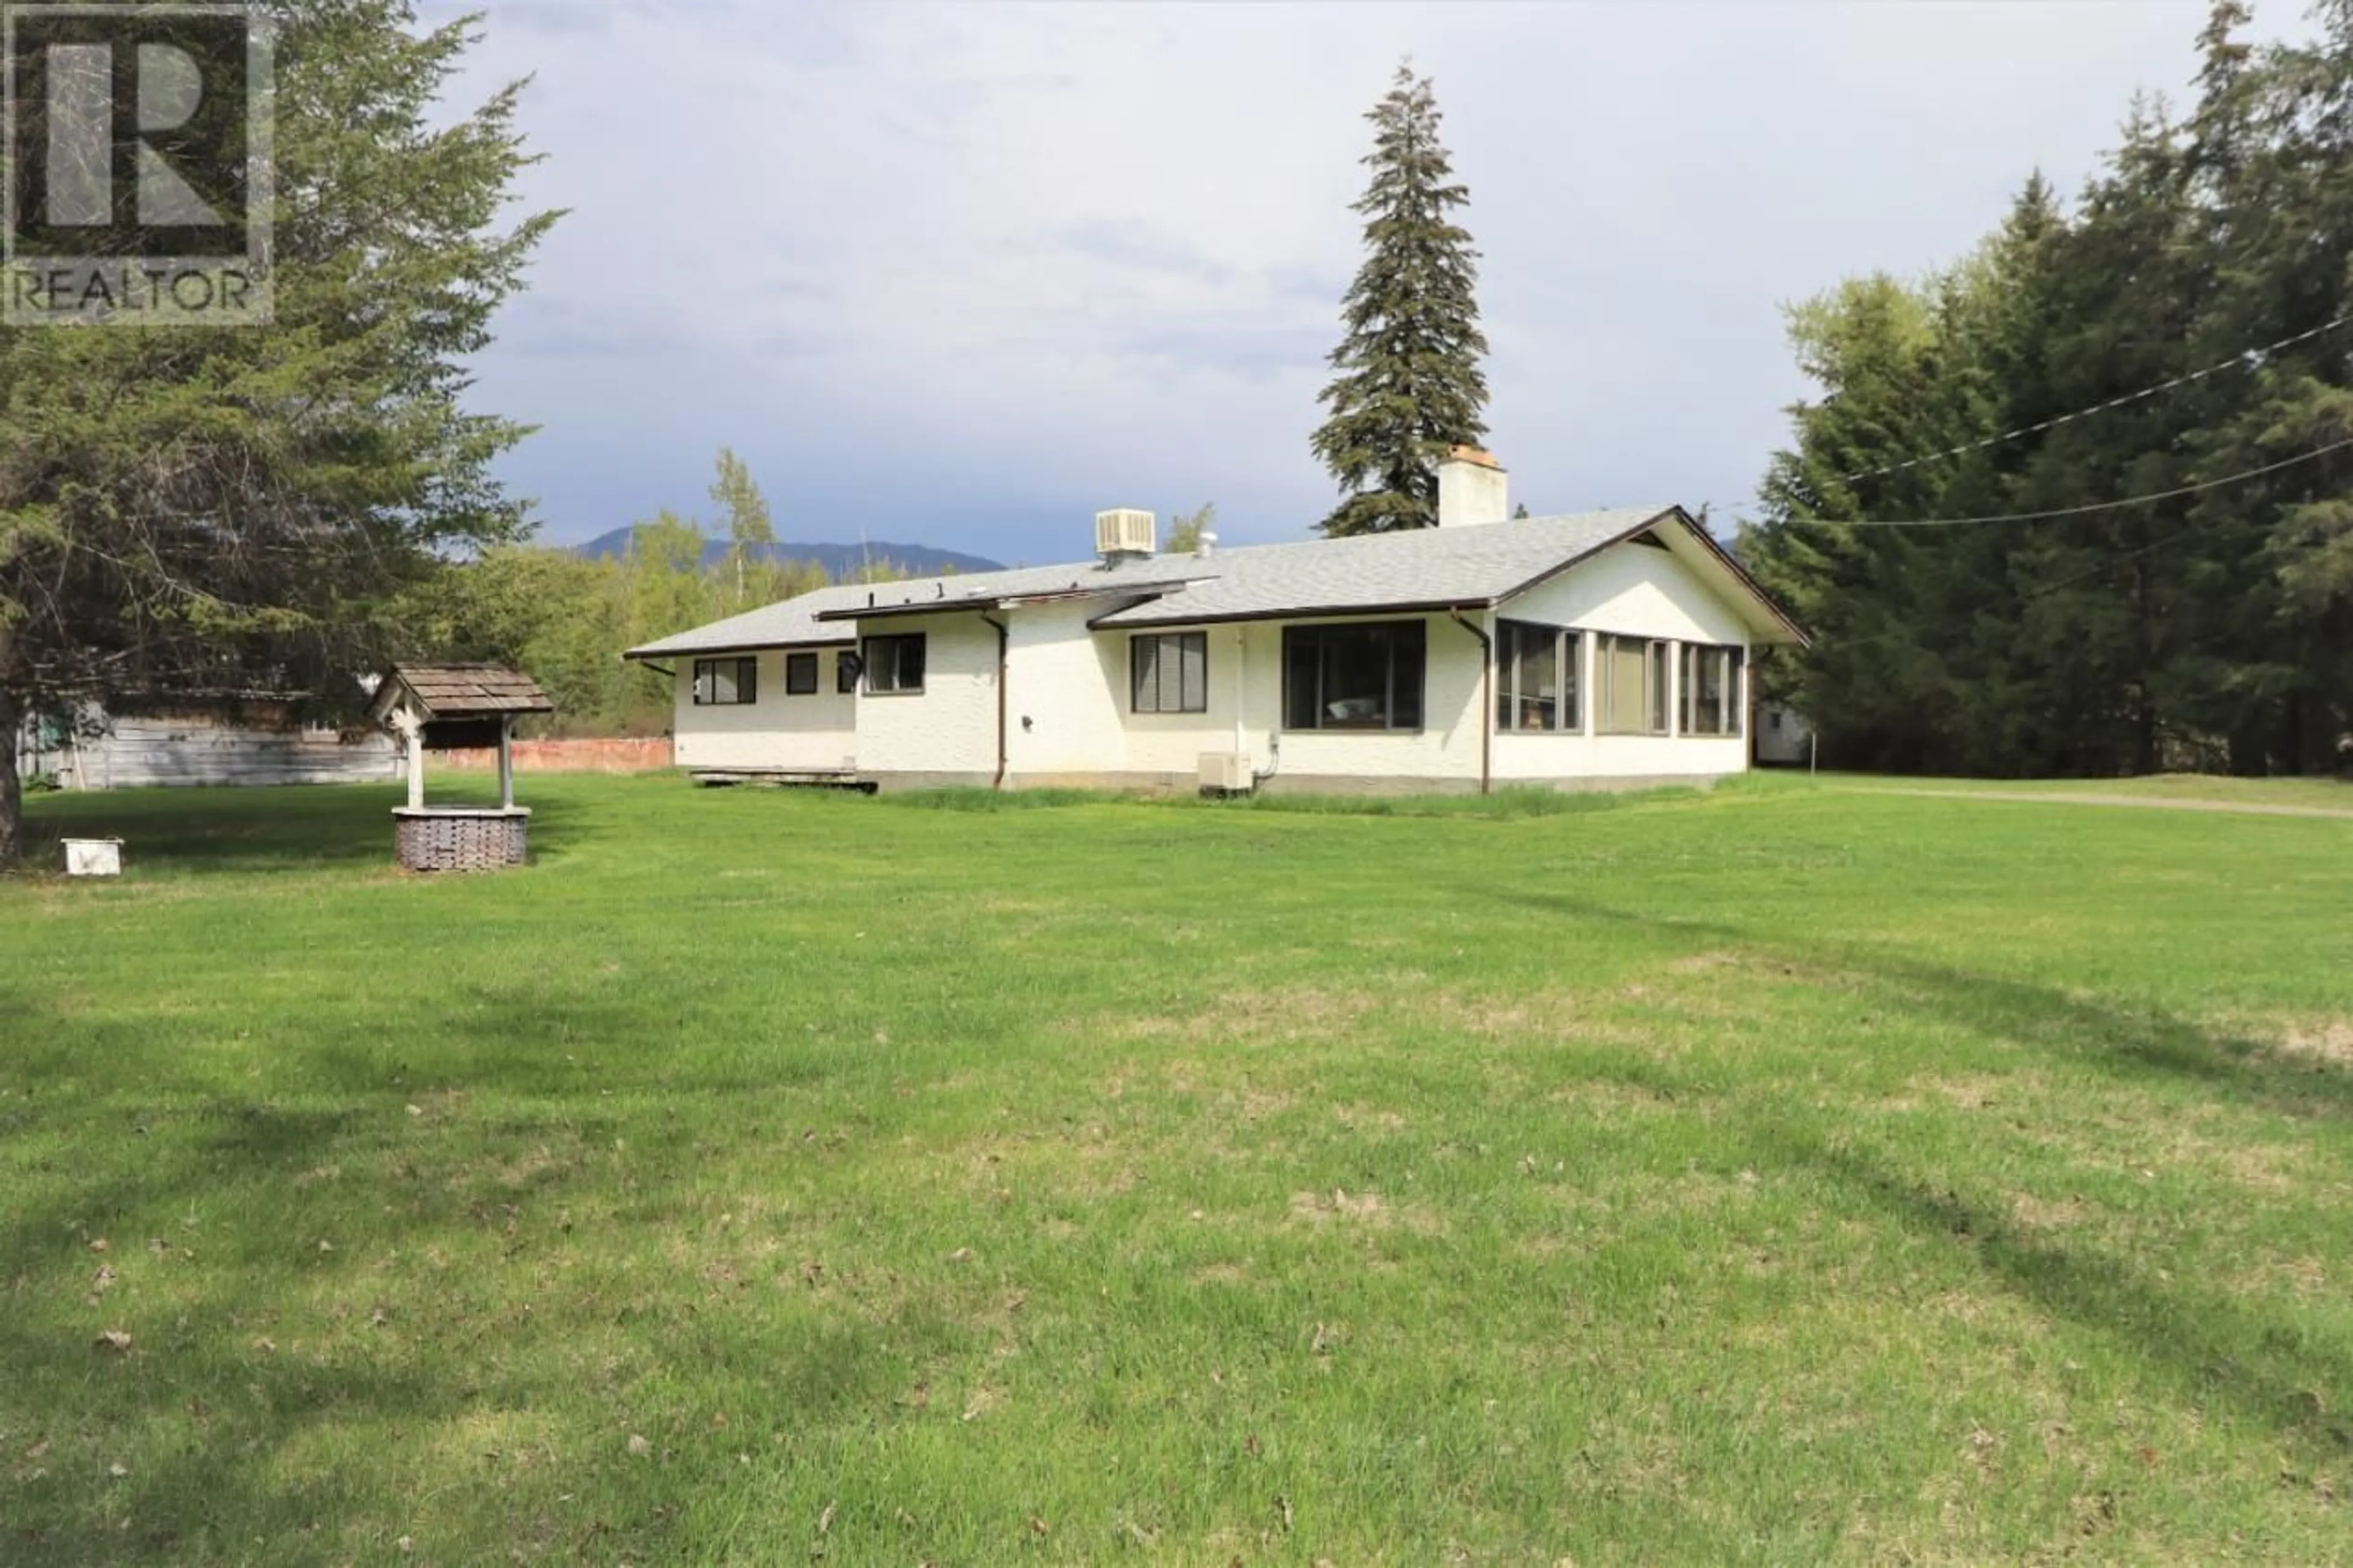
x=2206 y=630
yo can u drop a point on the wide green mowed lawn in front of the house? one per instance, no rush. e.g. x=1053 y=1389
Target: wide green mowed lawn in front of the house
x=1749 y=1176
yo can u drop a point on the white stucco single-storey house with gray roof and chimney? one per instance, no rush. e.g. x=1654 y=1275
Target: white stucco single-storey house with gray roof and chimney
x=1491 y=651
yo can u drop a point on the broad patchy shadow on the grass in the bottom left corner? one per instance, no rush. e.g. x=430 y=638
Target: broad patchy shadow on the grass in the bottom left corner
x=255 y=1353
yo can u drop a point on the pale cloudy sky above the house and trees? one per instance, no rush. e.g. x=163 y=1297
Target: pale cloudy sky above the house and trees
x=966 y=274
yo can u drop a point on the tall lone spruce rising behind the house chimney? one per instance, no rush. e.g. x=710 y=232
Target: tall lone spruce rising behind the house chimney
x=1411 y=378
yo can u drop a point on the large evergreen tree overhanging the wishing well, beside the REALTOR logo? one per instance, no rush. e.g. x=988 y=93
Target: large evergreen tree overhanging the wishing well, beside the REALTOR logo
x=227 y=507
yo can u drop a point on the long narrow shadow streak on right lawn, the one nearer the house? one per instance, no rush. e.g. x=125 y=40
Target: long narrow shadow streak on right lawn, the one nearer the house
x=2126 y=1042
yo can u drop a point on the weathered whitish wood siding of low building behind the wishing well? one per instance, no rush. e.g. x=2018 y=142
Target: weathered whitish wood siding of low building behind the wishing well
x=149 y=752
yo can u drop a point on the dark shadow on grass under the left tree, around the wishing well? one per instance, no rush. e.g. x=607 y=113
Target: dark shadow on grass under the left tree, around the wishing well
x=255 y=830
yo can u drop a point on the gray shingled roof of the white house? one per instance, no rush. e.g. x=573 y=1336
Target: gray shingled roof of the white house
x=1432 y=566
